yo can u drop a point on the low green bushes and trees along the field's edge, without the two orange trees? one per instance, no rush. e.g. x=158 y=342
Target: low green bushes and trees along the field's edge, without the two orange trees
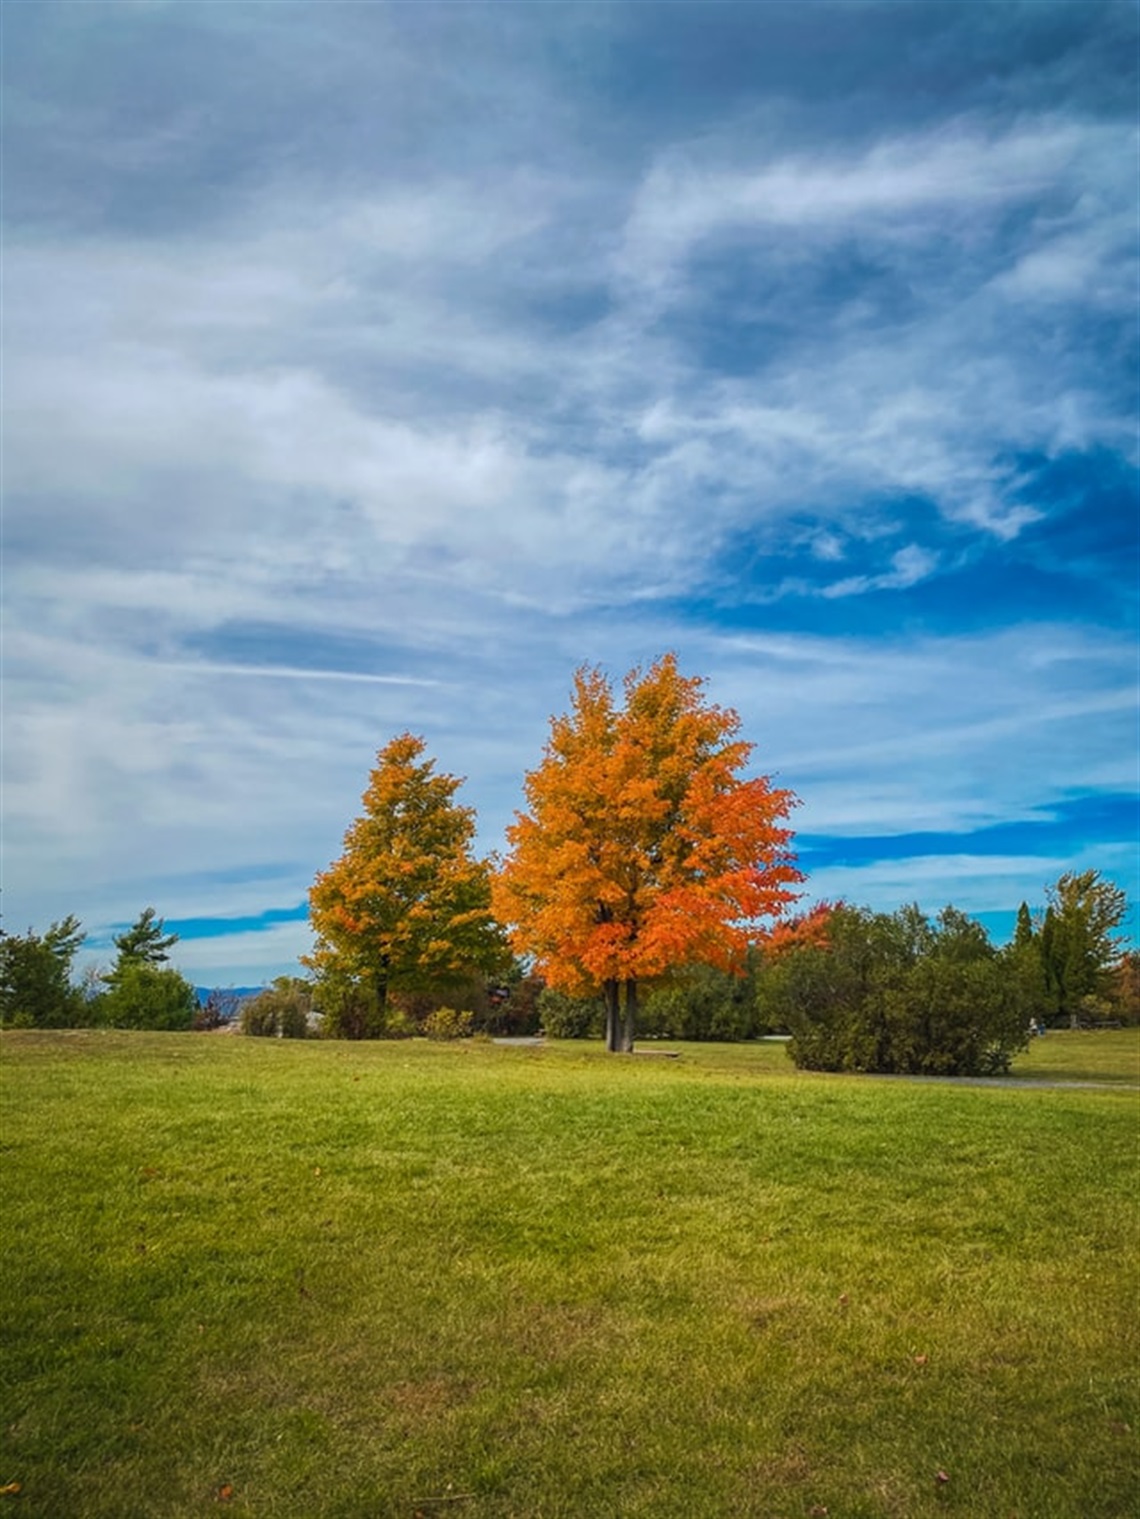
x=855 y=990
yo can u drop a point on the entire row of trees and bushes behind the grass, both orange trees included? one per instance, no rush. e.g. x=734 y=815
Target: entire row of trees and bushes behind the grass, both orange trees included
x=645 y=892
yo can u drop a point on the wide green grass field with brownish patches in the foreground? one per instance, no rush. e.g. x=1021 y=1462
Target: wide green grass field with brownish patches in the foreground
x=326 y=1280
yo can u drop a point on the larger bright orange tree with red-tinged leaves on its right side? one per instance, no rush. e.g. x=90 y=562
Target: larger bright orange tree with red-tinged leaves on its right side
x=644 y=847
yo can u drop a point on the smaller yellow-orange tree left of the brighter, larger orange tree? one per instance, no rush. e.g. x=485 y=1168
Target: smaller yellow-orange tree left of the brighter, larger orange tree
x=408 y=906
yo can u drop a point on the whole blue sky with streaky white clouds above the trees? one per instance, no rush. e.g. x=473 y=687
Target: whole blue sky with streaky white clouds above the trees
x=369 y=368
